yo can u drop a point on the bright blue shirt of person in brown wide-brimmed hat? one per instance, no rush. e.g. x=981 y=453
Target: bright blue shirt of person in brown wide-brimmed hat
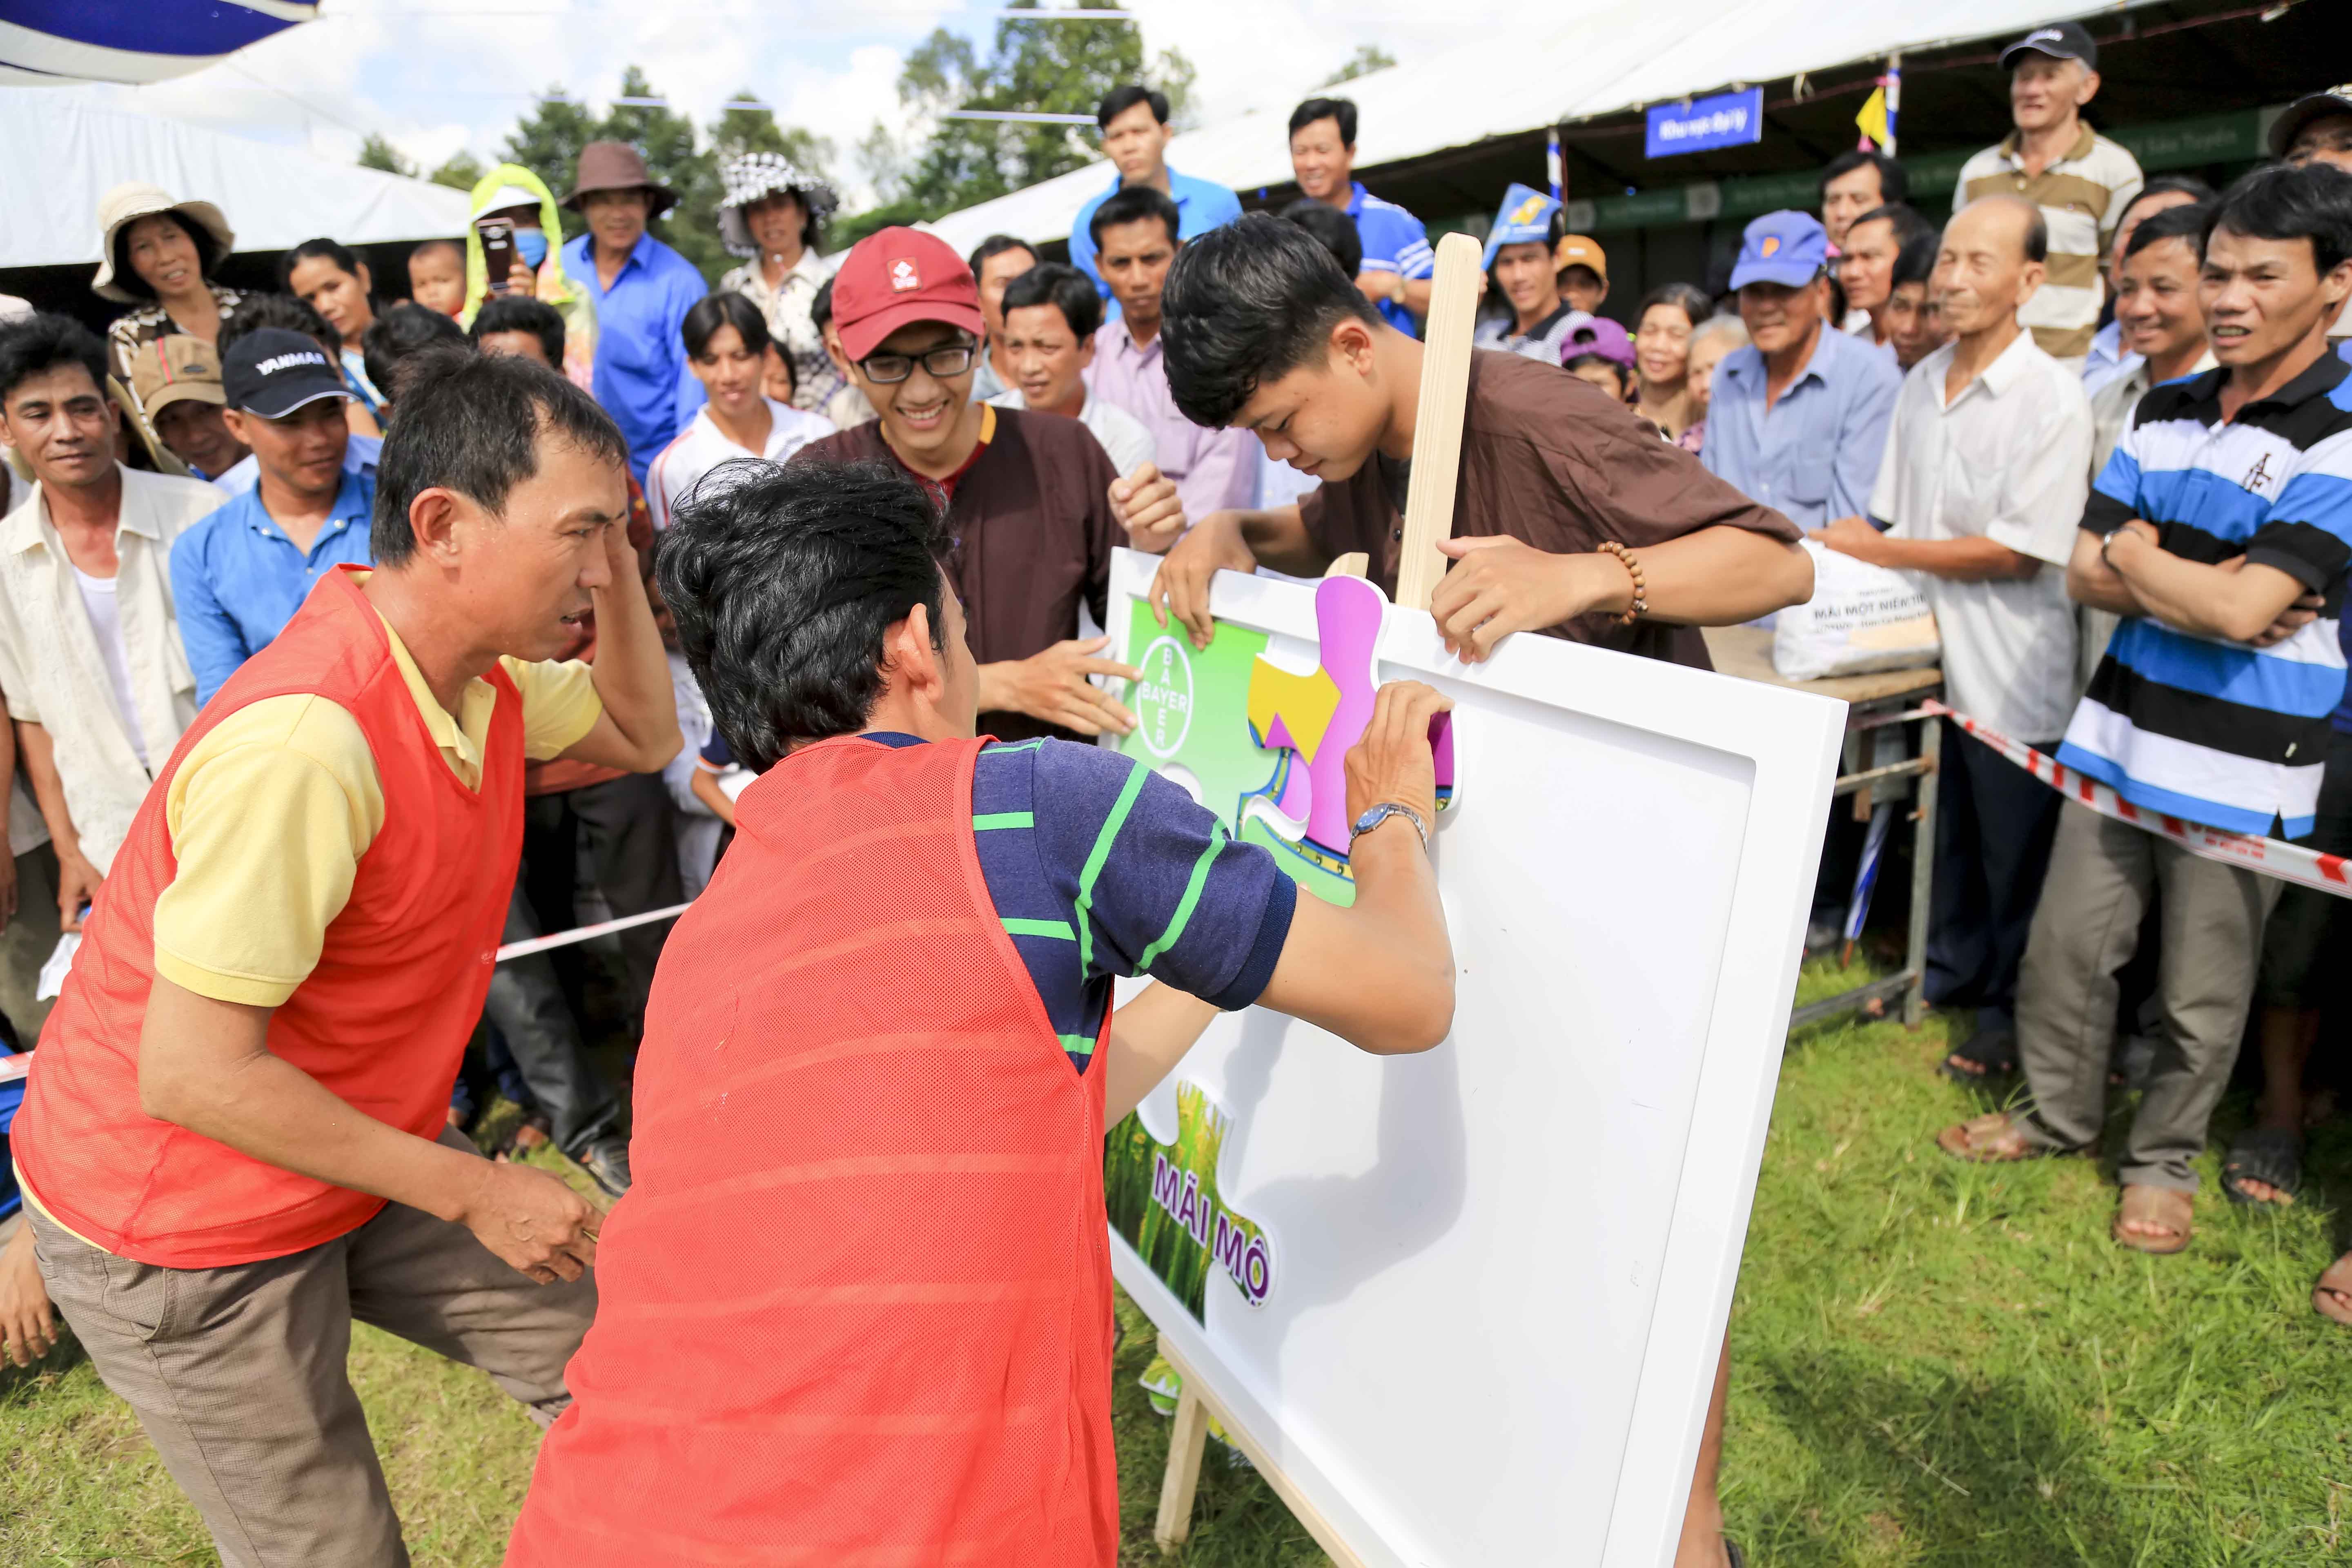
x=641 y=356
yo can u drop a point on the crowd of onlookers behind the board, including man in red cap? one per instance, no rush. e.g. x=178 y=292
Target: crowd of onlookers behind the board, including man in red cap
x=2099 y=420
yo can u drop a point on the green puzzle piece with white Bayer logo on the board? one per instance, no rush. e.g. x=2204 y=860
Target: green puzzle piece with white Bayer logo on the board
x=1194 y=713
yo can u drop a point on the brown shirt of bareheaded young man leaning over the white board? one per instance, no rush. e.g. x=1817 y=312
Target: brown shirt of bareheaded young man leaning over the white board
x=1553 y=462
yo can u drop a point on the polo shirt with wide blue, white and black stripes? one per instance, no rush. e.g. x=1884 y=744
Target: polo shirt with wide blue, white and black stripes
x=2224 y=732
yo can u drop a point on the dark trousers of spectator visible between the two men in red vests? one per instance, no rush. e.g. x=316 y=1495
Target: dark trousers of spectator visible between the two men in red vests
x=622 y=829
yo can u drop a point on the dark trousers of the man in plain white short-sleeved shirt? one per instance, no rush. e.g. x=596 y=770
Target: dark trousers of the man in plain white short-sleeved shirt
x=1993 y=843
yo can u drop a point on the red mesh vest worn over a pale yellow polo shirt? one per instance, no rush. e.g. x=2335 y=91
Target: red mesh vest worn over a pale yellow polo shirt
x=382 y=1019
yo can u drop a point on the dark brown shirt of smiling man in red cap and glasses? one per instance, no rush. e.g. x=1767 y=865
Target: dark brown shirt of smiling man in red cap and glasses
x=1034 y=535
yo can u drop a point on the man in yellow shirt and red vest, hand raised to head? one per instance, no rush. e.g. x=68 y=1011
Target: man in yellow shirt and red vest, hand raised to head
x=234 y=1141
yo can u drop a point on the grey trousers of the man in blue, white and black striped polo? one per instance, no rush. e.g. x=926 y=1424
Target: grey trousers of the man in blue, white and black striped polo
x=2085 y=930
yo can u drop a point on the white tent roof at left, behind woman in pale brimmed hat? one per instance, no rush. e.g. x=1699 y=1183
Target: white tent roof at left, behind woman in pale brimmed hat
x=67 y=152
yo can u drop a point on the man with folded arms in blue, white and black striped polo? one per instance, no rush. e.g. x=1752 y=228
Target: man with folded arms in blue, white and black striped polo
x=2221 y=532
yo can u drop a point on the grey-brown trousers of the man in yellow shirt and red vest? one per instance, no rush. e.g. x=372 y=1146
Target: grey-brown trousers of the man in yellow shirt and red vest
x=239 y=1372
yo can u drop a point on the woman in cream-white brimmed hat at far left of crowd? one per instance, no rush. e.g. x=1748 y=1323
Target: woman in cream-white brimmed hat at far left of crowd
x=159 y=255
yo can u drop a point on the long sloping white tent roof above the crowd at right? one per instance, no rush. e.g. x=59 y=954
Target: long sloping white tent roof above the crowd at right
x=1601 y=58
